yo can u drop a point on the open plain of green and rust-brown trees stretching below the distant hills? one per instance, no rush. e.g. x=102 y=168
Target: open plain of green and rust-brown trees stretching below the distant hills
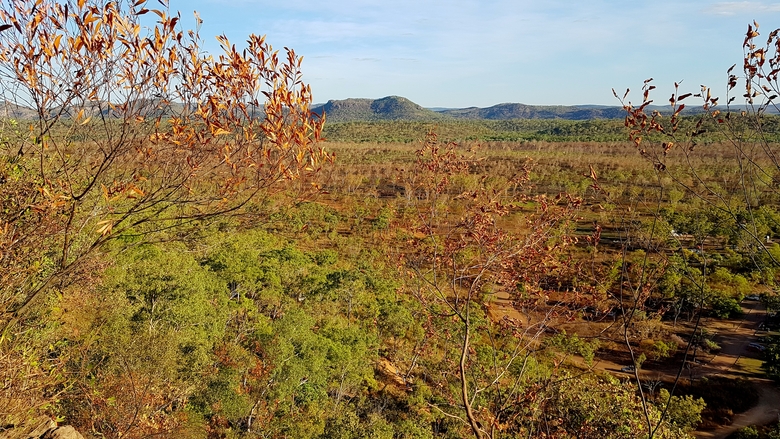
x=338 y=305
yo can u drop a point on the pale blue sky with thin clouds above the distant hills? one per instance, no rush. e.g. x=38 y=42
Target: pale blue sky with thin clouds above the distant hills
x=462 y=53
